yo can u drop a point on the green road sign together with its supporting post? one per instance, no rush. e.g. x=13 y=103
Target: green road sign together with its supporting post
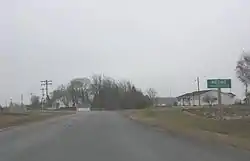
x=219 y=83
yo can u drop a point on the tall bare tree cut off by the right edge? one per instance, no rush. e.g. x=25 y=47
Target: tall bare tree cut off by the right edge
x=243 y=70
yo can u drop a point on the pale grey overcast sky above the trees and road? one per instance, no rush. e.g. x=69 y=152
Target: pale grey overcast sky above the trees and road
x=164 y=44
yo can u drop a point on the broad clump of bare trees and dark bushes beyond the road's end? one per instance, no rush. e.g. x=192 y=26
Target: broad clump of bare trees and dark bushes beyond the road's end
x=102 y=92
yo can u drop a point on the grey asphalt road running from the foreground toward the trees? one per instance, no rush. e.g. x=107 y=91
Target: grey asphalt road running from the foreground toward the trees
x=105 y=136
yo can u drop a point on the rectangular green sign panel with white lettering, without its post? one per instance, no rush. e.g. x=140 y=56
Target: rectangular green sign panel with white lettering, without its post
x=219 y=83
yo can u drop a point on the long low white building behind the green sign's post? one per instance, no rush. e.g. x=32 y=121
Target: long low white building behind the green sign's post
x=192 y=99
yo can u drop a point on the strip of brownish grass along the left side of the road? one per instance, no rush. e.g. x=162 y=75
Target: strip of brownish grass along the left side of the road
x=11 y=119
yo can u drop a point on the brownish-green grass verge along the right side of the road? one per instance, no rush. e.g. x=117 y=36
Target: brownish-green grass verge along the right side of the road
x=233 y=132
